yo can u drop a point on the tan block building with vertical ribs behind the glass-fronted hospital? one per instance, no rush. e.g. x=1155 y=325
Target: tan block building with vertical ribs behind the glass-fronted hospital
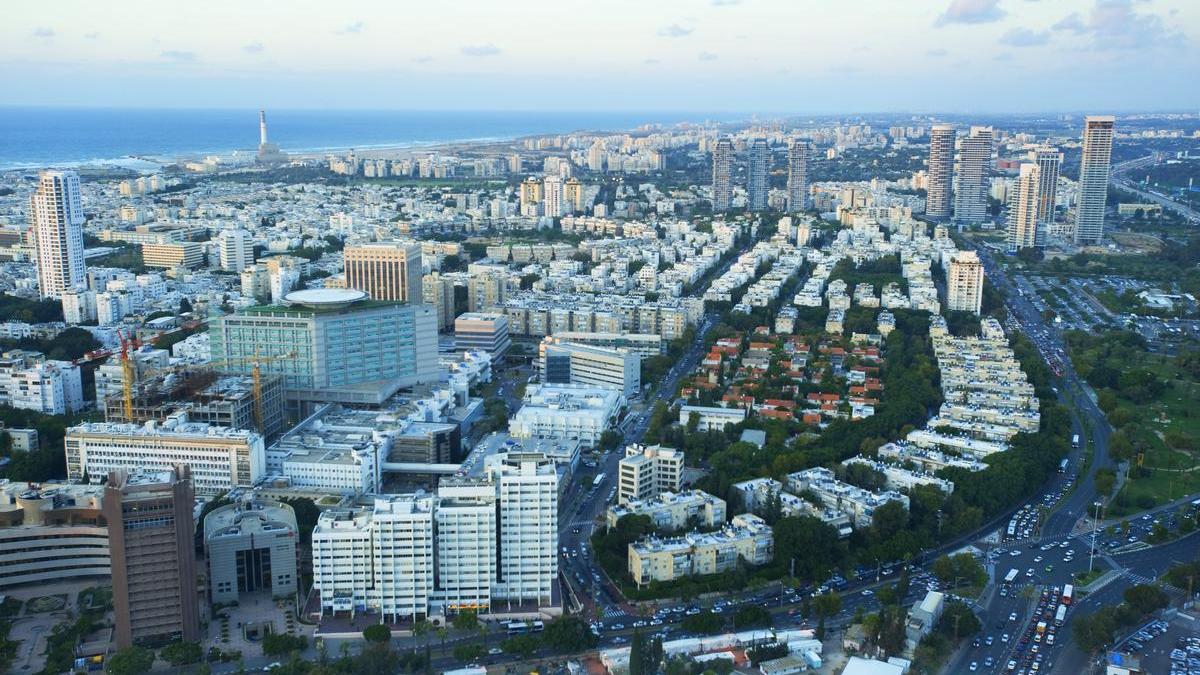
x=386 y=271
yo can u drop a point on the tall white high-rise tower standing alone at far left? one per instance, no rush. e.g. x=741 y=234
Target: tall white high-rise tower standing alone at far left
x=57 y=218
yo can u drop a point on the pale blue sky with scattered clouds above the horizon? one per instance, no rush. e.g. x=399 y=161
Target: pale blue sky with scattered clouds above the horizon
x=793 y=57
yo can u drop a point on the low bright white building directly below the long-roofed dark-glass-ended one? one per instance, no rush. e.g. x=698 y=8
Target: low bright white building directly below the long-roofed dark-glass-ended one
x=573 y=413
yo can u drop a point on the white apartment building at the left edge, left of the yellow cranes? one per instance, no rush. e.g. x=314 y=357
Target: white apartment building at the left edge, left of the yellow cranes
x=29 y=381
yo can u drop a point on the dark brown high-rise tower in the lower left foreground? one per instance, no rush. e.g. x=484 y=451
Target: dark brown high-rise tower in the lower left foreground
x=151 y=540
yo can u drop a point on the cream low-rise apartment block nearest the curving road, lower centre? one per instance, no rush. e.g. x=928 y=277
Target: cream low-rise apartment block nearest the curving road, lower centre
x=746 y=539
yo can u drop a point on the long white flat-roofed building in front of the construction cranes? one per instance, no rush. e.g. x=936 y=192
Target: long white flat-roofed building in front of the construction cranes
x=220 y=458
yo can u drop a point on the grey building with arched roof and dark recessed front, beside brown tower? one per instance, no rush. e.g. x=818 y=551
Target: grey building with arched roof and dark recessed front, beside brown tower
x=251 y=547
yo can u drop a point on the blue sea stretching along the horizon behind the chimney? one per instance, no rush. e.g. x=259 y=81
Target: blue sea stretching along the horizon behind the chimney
x=38 y=138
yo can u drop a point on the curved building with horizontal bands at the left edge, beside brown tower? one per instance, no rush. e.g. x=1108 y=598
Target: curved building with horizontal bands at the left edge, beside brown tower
x=52 y=533
